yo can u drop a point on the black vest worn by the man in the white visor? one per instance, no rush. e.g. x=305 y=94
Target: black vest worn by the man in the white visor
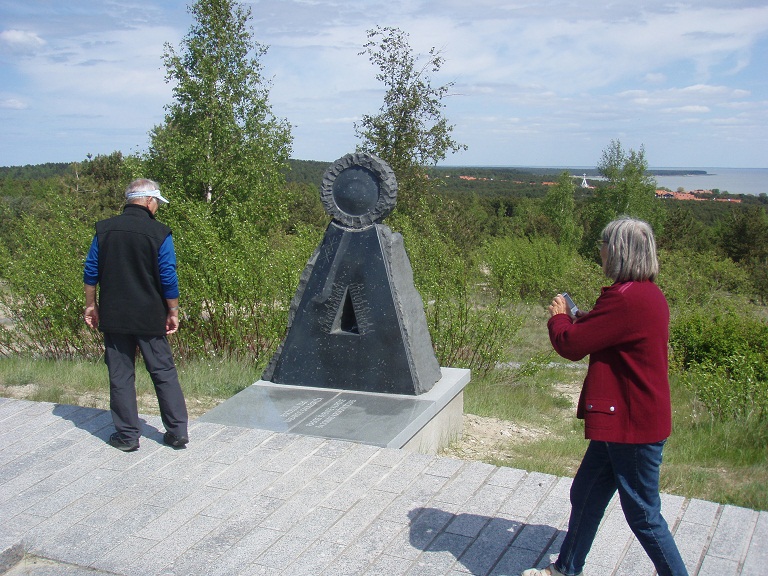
x=130 y=293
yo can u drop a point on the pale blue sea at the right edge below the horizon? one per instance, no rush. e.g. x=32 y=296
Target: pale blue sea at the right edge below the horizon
x=731 y=180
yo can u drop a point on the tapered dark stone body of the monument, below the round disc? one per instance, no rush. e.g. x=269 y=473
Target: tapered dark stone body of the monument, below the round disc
x=359 y=323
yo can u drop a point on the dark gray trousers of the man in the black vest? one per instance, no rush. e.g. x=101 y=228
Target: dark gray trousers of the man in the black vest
x=120 y=357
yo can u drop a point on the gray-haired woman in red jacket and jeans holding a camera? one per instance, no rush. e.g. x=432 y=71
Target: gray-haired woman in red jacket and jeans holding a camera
x=624 y=402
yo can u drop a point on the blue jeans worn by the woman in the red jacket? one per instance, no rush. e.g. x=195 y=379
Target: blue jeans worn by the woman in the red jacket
x=633 y=470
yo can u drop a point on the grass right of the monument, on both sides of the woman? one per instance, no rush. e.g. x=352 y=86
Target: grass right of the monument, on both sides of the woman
x=725 y=462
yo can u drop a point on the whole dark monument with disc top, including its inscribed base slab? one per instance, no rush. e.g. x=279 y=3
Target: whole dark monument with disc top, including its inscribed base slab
x=357 y=361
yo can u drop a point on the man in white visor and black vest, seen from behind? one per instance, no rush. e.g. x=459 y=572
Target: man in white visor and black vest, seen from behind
x=133 y=261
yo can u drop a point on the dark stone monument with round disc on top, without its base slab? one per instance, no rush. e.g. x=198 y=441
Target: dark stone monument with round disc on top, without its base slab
x=357 y=321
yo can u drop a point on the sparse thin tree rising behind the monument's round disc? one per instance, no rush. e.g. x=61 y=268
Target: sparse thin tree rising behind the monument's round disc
x=410 y=131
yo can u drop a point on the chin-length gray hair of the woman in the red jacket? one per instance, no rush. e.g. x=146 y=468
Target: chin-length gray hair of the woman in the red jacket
x=631 y=250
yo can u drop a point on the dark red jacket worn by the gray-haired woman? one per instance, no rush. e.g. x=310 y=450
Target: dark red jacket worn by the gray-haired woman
x=625 y=397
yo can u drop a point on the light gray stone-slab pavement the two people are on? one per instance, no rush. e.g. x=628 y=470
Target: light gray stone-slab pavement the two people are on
x=250 y=501
